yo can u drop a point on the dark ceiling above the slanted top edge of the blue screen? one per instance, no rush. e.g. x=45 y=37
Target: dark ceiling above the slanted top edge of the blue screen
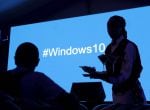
x=17 y=12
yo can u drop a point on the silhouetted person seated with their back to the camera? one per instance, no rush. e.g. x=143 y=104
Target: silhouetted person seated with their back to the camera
x=35 y=89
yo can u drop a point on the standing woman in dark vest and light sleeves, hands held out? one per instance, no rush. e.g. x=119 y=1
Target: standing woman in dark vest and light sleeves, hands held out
x=123 y=65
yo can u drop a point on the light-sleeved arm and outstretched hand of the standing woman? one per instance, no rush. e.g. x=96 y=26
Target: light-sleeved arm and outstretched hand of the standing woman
x=126 y=68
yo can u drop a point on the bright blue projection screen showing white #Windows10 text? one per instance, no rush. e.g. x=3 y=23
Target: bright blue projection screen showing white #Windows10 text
x=66 y=44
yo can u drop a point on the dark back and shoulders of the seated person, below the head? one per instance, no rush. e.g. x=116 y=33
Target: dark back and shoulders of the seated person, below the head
x=35 y=90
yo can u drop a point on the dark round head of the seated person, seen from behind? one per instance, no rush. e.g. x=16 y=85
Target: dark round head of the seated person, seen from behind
x=27 y=55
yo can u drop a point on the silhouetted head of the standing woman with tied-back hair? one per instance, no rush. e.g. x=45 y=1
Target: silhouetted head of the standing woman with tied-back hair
x=116 y=27
